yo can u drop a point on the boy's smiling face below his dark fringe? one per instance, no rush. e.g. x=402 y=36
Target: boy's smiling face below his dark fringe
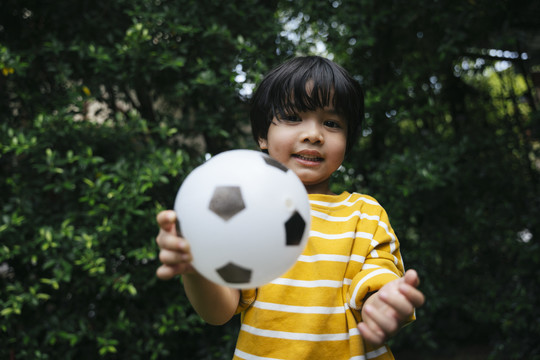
x=312 y=144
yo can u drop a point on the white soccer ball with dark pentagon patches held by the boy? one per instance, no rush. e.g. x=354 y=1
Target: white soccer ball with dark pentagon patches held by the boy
x=246 y=217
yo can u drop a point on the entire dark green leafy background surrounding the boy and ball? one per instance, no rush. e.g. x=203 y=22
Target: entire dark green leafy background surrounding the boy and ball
x=105 y=106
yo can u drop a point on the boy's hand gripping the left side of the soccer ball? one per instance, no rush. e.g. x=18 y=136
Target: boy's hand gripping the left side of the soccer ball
x=174 y=253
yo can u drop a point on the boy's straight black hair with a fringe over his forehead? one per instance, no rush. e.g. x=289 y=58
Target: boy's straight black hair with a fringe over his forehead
x=283 y=91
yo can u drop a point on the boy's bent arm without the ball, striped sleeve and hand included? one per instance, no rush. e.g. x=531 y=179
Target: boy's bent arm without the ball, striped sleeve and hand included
x=394 y=295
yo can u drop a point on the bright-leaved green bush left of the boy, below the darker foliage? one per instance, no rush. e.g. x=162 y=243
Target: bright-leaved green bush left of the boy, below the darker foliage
x=77 y=255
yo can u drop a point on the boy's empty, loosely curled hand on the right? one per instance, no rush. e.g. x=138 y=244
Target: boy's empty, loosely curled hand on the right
x=389 y=308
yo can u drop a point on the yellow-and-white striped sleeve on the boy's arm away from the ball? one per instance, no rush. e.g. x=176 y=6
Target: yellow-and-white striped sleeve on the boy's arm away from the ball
x=378 y=244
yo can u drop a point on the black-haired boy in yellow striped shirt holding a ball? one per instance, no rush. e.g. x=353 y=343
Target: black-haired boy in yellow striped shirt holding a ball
x=347 y=293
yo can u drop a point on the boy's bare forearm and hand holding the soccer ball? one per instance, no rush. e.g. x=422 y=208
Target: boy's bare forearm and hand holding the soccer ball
x=216 y=304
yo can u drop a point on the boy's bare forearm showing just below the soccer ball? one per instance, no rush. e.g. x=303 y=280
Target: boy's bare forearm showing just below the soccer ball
x=216 y=304
